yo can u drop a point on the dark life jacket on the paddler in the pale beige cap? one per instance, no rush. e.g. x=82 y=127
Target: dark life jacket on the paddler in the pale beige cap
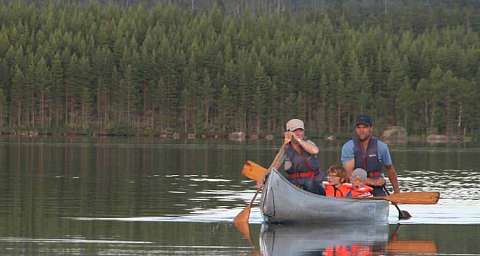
x=303 y=162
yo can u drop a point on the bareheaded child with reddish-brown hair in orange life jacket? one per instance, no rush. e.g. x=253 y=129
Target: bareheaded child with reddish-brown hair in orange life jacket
x=336 y=186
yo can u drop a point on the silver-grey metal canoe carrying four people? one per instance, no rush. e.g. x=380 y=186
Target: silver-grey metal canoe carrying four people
x=283 y=202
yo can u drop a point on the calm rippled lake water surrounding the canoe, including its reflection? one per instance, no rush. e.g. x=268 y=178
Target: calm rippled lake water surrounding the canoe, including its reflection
x=131 y=196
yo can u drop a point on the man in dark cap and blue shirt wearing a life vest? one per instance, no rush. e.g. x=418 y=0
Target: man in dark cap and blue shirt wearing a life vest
x=369 y=153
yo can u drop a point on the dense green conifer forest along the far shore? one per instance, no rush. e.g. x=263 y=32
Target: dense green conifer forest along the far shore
x=107 y=68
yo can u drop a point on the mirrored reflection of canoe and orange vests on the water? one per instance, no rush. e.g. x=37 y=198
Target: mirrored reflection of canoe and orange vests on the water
x=323 y=240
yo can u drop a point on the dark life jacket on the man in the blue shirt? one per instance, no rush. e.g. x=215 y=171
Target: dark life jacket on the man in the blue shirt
x=368 y=160
